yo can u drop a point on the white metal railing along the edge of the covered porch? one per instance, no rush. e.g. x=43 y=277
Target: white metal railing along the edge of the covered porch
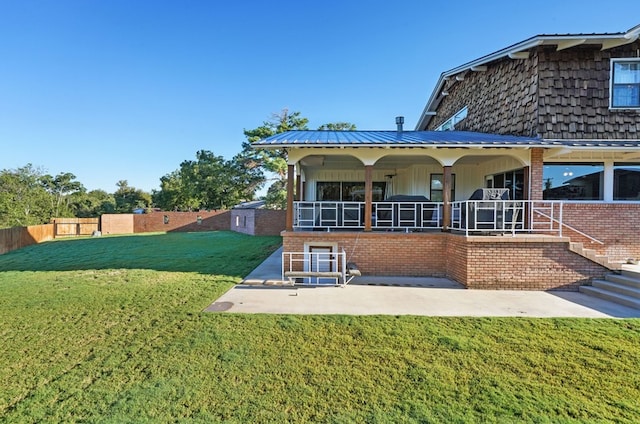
x=470 y=217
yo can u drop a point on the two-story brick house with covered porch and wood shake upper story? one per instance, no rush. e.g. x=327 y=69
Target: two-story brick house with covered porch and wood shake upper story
x=523 y=172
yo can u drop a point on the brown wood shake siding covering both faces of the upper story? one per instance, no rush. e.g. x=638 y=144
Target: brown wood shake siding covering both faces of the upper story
x=552 y=94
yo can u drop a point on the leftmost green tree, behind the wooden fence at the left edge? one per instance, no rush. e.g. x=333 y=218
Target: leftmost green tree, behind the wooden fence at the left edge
x=23 y=199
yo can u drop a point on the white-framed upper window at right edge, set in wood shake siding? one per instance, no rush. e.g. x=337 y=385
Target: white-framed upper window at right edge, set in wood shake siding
x=625 y=83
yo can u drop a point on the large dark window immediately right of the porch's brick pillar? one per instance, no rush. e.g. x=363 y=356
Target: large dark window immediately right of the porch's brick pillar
x=573 y=181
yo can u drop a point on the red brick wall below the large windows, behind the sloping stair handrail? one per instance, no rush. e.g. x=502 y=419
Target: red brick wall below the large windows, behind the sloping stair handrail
x=617 y=225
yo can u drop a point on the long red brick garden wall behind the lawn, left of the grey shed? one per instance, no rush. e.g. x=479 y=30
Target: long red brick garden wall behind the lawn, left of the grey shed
x=182 y=221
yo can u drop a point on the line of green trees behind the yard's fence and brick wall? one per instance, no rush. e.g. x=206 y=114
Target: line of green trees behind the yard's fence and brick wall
x=29 y=196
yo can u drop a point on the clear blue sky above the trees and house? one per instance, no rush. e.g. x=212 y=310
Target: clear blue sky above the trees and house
x=126 y=90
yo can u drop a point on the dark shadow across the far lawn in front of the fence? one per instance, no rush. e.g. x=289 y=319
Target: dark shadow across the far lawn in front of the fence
x=218 y=252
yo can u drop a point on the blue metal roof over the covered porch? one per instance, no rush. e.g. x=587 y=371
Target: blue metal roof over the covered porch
x=393 y=138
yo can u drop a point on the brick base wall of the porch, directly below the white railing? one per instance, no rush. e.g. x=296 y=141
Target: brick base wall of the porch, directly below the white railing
x=528 y=263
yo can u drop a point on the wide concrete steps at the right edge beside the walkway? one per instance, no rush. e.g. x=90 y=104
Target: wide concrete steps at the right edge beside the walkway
x=622 y=288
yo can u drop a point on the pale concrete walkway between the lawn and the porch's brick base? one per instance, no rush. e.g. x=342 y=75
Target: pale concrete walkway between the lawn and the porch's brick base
x=263 y=292
